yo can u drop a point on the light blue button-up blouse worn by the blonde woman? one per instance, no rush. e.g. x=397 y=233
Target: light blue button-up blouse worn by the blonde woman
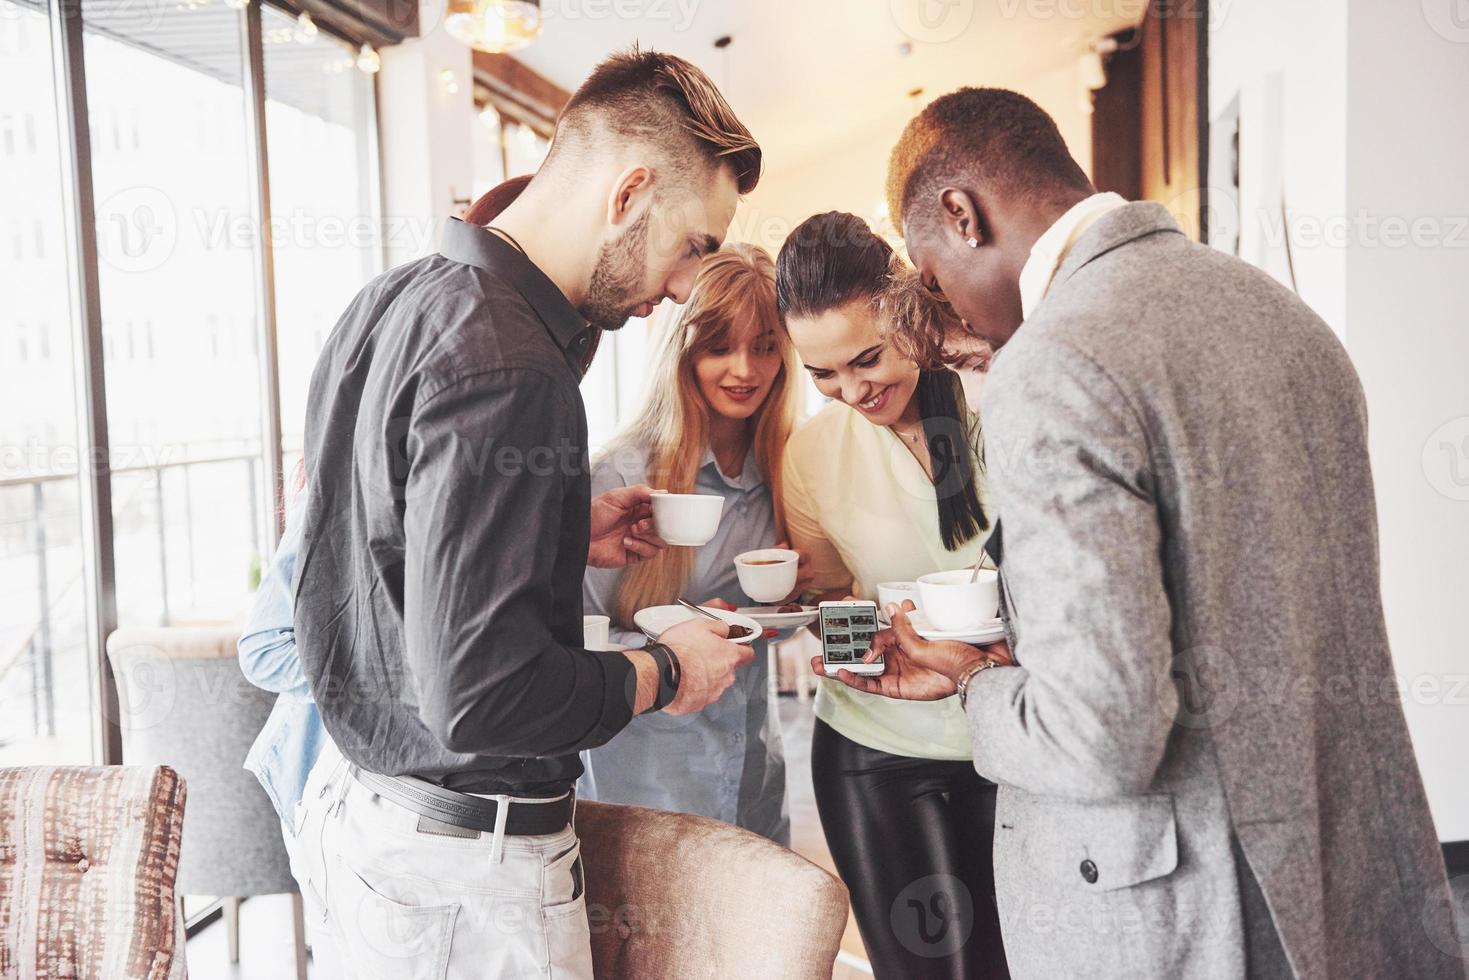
x=726 y=762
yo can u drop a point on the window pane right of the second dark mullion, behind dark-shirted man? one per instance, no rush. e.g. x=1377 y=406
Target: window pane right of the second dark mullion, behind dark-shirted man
x=324 y=198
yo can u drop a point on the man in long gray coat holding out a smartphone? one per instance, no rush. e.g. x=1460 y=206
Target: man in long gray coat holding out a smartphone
x=1204 y=763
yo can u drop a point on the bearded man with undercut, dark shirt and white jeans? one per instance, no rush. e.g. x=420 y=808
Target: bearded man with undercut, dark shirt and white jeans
x=449 y=527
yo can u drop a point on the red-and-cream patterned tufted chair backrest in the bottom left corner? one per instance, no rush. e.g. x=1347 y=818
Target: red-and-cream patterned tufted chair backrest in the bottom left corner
x=87 y=865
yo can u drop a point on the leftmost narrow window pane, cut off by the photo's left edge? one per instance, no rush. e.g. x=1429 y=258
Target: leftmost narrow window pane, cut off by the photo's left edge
x=46 y=682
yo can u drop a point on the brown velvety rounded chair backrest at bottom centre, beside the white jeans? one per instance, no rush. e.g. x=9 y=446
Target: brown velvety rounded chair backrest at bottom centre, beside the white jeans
x=672 y=896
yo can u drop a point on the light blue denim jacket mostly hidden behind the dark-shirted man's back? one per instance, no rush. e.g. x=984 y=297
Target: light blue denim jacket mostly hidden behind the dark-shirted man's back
x=292 y=740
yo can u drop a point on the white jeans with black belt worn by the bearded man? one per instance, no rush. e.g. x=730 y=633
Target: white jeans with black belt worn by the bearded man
x=389 y=903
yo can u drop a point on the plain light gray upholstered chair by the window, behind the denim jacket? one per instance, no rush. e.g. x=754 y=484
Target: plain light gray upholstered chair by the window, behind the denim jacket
x=186 y=705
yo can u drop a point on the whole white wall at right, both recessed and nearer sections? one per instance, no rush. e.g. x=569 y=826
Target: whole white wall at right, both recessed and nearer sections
x=1371 y=143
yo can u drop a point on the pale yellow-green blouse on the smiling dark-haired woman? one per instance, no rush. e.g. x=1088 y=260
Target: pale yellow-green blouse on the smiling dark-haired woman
x=866 y=512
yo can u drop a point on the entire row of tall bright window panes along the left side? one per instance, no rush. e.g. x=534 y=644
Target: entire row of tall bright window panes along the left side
x=170 y=121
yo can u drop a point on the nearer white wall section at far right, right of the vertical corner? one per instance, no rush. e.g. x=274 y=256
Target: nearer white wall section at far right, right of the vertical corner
x=1408 y=330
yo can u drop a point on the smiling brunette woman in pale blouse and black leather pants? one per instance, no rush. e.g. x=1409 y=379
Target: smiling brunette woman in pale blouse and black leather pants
x=887 y=486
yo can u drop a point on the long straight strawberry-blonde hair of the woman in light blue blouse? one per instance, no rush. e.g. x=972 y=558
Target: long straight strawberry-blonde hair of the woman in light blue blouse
x=734 y=289
